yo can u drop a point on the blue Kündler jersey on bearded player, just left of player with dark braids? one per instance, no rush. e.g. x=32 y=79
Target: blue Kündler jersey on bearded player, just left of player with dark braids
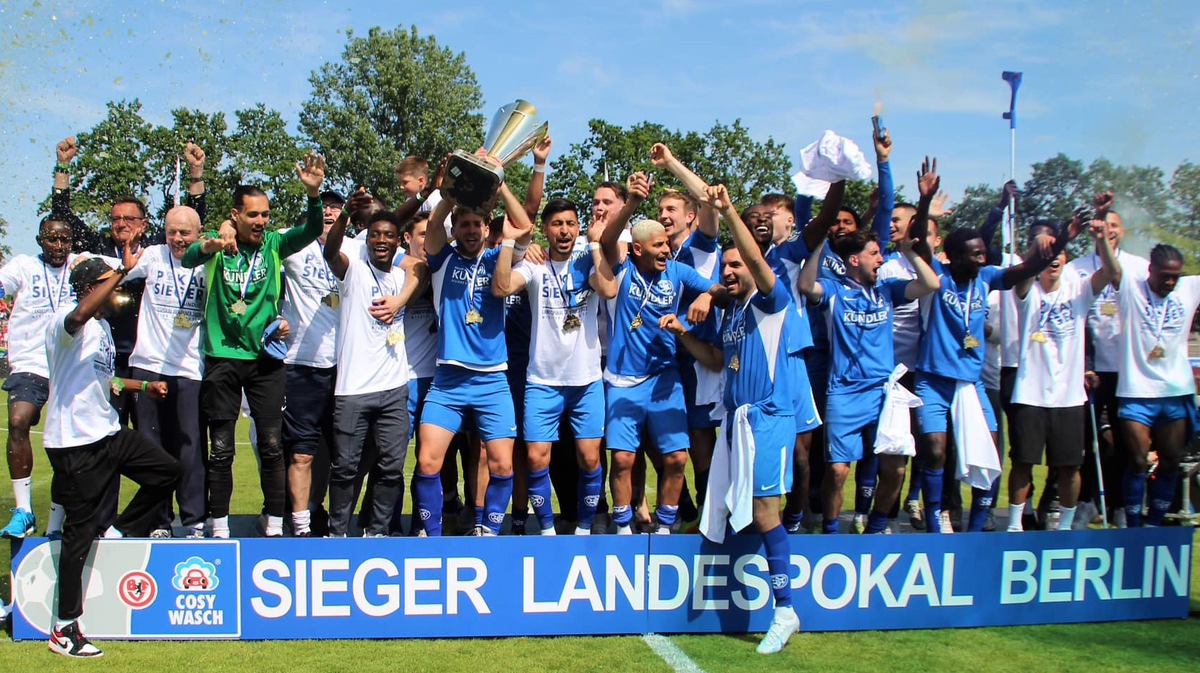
x=861 y=350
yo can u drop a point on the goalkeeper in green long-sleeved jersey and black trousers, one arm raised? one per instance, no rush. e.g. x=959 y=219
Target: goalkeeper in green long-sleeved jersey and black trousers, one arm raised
x=239 y=316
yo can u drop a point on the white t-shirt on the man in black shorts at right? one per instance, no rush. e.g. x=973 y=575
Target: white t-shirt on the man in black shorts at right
x=1052 y=372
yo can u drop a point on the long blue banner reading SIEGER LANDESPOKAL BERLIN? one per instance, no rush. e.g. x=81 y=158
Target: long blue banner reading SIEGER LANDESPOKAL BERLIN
x=457 y=587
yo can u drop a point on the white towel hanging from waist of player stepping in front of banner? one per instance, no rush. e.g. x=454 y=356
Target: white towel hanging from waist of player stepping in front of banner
x=730 y=479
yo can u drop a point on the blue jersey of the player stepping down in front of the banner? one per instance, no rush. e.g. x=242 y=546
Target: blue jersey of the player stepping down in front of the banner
x=759 y=345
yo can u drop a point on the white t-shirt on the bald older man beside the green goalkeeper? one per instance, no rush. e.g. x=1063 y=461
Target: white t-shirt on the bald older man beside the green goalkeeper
x=171 y=291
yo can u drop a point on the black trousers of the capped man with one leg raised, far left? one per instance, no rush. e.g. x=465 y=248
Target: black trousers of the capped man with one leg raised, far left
x=83 y=477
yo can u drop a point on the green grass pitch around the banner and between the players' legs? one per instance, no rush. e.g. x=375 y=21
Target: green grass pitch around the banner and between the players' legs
x=1133 y=646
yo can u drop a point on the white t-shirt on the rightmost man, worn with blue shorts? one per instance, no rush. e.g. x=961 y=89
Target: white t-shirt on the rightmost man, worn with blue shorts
x=1150 y=322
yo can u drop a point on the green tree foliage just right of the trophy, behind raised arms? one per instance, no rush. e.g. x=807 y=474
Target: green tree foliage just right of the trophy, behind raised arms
x=727 y=154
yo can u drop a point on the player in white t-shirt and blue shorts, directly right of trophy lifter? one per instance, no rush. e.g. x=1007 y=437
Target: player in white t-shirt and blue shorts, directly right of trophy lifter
x=565 y=364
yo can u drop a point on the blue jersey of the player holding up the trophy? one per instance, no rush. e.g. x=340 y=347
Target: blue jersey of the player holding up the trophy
x=463 y=290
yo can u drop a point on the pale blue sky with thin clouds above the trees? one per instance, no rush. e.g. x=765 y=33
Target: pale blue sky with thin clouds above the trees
x=1101 y=80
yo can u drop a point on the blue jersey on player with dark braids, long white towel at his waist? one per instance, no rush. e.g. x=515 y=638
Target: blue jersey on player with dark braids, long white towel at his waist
x=949 y=317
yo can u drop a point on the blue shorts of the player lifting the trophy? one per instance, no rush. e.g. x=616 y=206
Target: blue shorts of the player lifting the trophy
x=458 y=393
